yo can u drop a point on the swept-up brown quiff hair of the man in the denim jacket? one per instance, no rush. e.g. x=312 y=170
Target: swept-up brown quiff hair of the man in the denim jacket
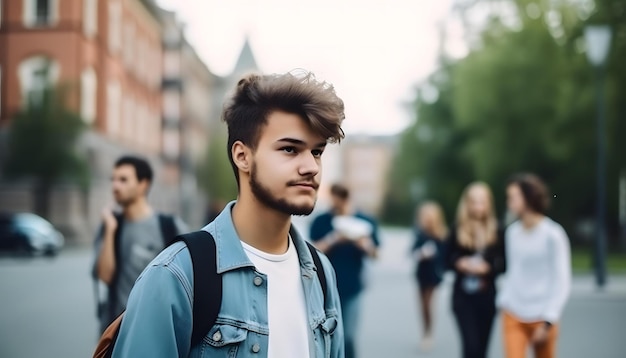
x=257 y=96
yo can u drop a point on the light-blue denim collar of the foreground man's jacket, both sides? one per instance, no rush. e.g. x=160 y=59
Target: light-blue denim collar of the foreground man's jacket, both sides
x=230 y=252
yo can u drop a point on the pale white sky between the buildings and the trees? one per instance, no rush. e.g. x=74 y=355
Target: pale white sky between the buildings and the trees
x=375 y=53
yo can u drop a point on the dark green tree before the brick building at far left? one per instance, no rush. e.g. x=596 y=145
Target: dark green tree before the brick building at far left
x=42 y=146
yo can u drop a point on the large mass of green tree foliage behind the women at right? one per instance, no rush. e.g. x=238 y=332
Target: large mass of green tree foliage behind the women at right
x=523 y=99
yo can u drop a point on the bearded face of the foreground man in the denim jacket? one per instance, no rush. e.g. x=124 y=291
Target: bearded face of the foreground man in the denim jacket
x=286 y=165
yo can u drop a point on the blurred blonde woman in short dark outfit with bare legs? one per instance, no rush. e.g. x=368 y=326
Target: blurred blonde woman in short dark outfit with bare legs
x=429 y=249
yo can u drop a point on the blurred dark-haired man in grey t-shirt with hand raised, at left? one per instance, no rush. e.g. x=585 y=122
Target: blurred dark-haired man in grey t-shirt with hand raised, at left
x=123 y=249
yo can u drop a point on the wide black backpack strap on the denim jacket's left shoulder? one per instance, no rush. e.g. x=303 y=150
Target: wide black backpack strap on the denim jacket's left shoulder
x=207 y=283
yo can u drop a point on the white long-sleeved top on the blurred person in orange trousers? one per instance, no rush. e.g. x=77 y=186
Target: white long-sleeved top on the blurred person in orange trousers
x=538 y=273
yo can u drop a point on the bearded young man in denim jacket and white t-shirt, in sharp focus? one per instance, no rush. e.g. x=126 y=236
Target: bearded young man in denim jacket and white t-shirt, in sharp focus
x=272 y=300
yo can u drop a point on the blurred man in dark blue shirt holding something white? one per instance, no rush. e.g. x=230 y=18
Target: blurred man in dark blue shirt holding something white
x=348 y=237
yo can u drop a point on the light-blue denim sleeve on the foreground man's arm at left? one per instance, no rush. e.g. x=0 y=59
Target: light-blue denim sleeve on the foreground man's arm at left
x=158 y=318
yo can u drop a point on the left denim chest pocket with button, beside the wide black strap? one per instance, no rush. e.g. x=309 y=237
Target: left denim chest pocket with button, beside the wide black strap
x=223 y=341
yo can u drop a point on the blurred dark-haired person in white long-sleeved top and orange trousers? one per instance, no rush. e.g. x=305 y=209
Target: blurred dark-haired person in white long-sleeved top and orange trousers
x=537 y=283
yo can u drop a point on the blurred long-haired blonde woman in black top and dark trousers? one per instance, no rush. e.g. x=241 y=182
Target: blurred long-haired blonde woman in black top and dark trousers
x=476 y=255
